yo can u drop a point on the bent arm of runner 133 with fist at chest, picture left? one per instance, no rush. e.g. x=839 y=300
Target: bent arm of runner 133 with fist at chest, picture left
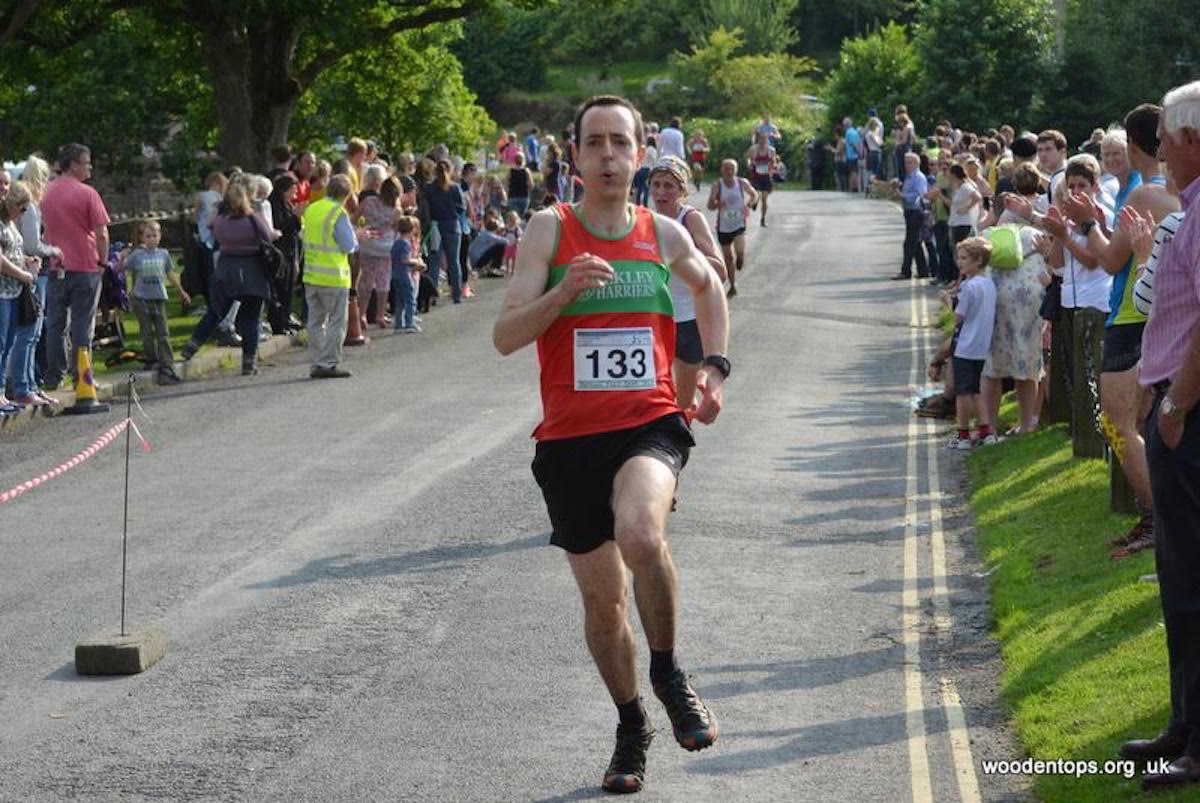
x=530 y=309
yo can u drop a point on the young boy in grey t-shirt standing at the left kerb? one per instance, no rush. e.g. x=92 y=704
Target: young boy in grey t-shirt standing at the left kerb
x=151 y=268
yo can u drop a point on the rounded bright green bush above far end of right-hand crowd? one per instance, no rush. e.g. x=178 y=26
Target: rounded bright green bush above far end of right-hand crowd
x=875 y=71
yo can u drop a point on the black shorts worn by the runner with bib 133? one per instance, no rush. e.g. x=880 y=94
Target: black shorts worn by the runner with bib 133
x=577 y=476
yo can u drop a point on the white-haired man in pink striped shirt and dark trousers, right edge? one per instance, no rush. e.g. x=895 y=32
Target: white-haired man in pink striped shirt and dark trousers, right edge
x=1171 y=365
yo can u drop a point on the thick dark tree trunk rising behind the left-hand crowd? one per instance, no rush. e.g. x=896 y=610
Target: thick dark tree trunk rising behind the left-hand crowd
x=253 y=86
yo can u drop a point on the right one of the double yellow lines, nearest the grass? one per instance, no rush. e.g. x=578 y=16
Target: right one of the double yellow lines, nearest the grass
x=956 y=717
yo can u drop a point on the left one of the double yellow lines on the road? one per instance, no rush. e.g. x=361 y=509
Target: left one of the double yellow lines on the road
x=910 y=619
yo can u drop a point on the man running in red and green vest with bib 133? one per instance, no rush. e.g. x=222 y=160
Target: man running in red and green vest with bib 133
x=591 y=289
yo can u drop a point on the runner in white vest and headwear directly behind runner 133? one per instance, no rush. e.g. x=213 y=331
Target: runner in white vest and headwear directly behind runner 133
x=669 y=189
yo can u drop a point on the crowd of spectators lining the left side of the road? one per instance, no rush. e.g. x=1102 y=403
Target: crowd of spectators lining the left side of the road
x=327 y=247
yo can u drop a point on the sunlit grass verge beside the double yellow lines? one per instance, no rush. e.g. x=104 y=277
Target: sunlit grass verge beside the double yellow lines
x=1082 y=637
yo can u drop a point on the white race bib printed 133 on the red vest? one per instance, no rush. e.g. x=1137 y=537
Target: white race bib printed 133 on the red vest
x=615 y=359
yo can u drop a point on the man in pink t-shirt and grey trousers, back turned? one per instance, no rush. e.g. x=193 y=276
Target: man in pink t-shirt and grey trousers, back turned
x=77 y=223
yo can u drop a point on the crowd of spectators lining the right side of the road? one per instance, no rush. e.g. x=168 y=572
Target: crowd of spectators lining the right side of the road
x=1084 y=263
